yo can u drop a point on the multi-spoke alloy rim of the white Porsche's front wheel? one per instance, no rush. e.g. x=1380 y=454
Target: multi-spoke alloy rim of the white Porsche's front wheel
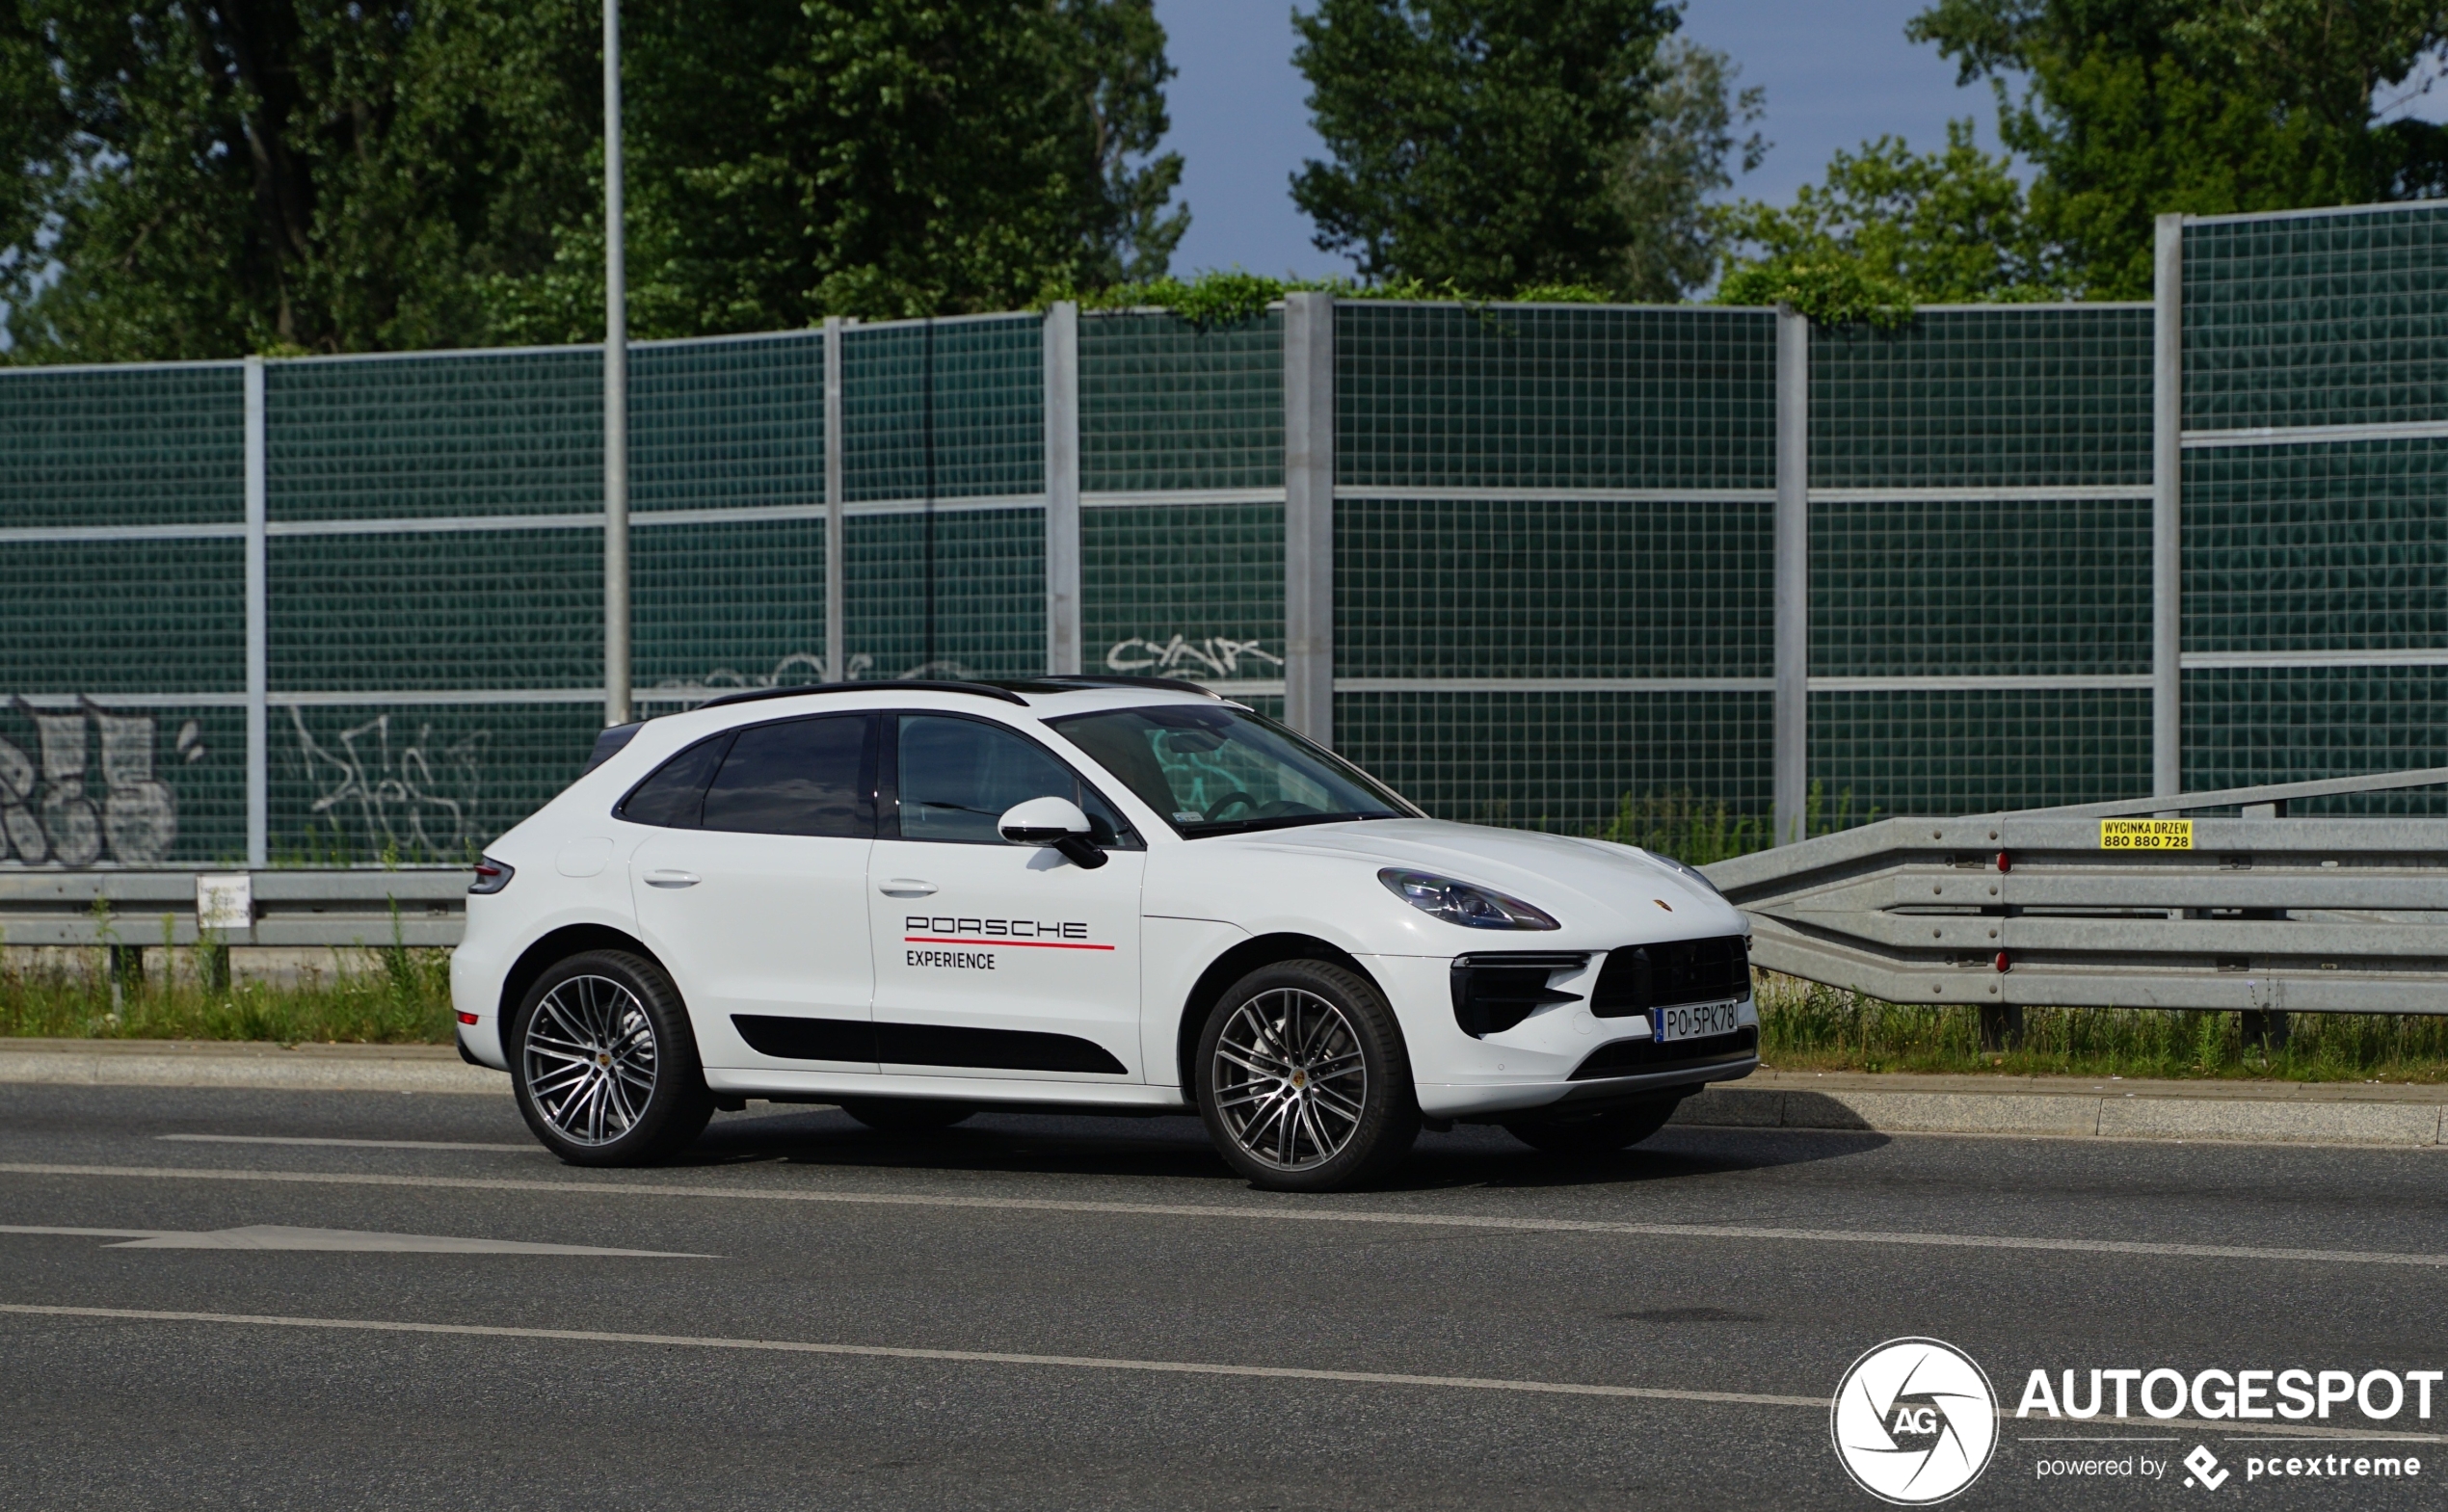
x=1289 y=1080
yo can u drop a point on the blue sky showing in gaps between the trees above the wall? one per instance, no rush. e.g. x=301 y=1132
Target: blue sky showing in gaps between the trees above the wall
x=1837 y=72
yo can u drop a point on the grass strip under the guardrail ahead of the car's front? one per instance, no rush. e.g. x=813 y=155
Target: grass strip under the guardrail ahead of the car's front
x=1823 y=1029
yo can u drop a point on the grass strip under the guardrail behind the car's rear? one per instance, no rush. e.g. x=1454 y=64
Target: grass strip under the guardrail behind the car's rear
x=403 y=999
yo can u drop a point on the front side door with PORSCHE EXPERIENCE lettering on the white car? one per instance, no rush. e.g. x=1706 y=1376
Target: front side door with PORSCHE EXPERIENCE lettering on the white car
x=998 y=960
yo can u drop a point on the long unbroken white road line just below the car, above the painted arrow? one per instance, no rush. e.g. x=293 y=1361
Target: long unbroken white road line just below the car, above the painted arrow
x=1259 y=1215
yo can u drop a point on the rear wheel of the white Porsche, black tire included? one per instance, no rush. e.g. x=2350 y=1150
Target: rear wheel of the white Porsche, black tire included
x=606 y=1065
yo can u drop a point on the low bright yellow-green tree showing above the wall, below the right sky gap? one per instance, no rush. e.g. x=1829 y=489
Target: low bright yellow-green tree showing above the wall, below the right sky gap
x=1891 y=229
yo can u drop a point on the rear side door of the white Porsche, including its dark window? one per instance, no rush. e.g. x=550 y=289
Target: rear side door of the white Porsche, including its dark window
x=755 y=892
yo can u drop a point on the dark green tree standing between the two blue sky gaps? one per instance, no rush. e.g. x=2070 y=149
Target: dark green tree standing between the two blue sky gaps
x=1480 y=143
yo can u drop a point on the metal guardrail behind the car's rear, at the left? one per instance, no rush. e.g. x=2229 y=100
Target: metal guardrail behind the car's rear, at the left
x=133 y=909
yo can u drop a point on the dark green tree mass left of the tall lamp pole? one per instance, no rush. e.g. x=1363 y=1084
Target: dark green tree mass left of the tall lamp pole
x=200 y=182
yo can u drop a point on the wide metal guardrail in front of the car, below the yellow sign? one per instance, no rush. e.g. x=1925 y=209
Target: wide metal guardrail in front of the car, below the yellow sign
x=2263 y=914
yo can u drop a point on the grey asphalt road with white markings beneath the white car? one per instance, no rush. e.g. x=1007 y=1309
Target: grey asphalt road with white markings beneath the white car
x=1027 y=1313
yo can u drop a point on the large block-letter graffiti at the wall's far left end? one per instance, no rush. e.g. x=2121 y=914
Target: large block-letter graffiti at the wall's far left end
x=55 y=813
